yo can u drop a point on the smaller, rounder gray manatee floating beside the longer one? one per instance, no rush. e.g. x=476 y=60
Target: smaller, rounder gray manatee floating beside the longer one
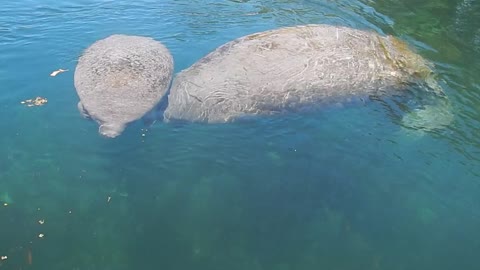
x=120 y=78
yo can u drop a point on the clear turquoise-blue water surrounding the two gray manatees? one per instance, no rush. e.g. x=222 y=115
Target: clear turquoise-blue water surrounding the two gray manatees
x=347 y=188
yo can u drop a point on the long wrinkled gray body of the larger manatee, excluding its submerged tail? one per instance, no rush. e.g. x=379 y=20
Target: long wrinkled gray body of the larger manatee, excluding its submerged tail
x=292 y=68
